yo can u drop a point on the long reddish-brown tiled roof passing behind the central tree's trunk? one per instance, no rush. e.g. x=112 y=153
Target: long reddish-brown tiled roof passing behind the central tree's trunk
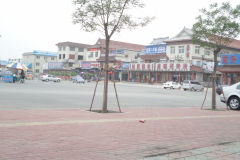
x=120 y=45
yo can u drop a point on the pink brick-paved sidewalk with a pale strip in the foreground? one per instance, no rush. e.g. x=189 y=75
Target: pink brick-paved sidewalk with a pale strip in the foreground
x=74 y=134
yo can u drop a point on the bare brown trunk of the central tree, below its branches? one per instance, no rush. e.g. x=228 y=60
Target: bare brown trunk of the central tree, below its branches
x=105 y=91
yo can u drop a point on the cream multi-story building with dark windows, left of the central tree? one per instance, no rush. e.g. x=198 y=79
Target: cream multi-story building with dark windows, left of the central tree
x=71 y=54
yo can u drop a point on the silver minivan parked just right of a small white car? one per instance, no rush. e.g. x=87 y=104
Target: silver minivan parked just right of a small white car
x=192 y=85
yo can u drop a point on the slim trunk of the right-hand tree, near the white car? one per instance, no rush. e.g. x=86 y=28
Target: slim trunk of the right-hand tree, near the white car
x=214 y=76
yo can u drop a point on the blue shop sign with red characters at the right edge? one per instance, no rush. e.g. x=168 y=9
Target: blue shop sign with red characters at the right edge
x=230 y=59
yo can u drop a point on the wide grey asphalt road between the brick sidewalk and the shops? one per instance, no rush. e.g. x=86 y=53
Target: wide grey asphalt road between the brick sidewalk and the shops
x=36 y=94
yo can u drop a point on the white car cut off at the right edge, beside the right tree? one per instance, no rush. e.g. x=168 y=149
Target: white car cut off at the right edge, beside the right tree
x=231 y=96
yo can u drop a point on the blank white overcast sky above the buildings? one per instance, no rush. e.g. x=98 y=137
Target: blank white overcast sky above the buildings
x=27 y=25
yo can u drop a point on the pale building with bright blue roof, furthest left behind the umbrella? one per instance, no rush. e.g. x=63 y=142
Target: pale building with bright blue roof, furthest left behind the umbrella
x=39 y=60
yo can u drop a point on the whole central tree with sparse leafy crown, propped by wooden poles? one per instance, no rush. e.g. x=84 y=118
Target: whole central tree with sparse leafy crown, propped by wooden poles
x=107 y=17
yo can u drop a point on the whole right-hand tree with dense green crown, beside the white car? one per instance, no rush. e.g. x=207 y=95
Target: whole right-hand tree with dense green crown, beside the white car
x=216 y=28
